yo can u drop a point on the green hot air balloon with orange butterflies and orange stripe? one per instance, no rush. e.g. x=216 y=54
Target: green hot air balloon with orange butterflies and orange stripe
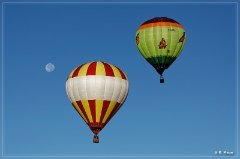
x=160 y=41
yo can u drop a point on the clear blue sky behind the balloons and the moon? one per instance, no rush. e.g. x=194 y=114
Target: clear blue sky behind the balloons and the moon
x=192 y=114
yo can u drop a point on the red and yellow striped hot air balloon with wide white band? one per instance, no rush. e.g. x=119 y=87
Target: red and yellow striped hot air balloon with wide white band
x=97 y=90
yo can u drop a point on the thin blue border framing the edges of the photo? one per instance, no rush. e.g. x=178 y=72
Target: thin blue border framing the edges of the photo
x=3 y=3
